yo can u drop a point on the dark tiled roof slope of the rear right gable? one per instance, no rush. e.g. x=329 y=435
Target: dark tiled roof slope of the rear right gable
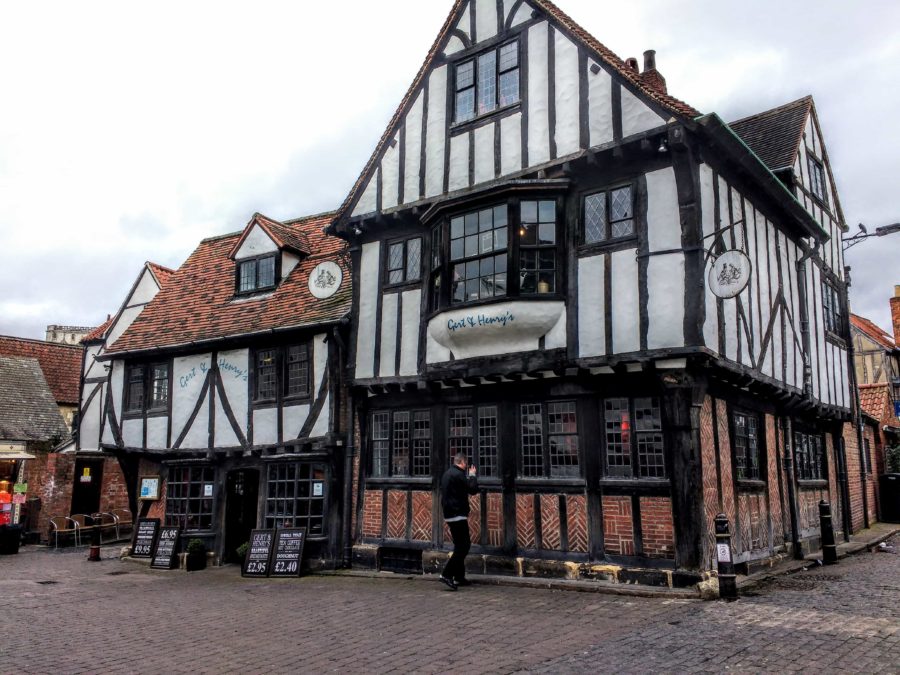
x=774 y=135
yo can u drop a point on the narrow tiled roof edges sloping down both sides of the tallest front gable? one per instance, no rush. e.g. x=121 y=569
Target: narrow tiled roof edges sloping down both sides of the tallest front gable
x=600 y=52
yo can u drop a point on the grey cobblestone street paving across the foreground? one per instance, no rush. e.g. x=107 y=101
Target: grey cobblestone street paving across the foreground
x=63 y=615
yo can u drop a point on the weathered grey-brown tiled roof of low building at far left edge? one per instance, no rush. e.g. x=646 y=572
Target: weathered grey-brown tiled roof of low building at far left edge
x=28 y=411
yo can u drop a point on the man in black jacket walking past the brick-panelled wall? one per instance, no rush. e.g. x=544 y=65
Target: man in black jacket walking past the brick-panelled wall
x=457 y=483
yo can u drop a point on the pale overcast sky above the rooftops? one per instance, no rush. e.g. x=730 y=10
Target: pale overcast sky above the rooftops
x=130 y=131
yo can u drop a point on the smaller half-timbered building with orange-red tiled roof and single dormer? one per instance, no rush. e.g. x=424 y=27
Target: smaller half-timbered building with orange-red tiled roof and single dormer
x=226 y=385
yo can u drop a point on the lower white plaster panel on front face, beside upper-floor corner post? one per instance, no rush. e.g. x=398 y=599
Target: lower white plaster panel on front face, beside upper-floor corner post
x=665 y=305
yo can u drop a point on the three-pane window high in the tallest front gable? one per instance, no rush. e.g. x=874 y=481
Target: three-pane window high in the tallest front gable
x=487 y=82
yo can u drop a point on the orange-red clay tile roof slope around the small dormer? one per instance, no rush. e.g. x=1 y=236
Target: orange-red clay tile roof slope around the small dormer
x=198 y=304
